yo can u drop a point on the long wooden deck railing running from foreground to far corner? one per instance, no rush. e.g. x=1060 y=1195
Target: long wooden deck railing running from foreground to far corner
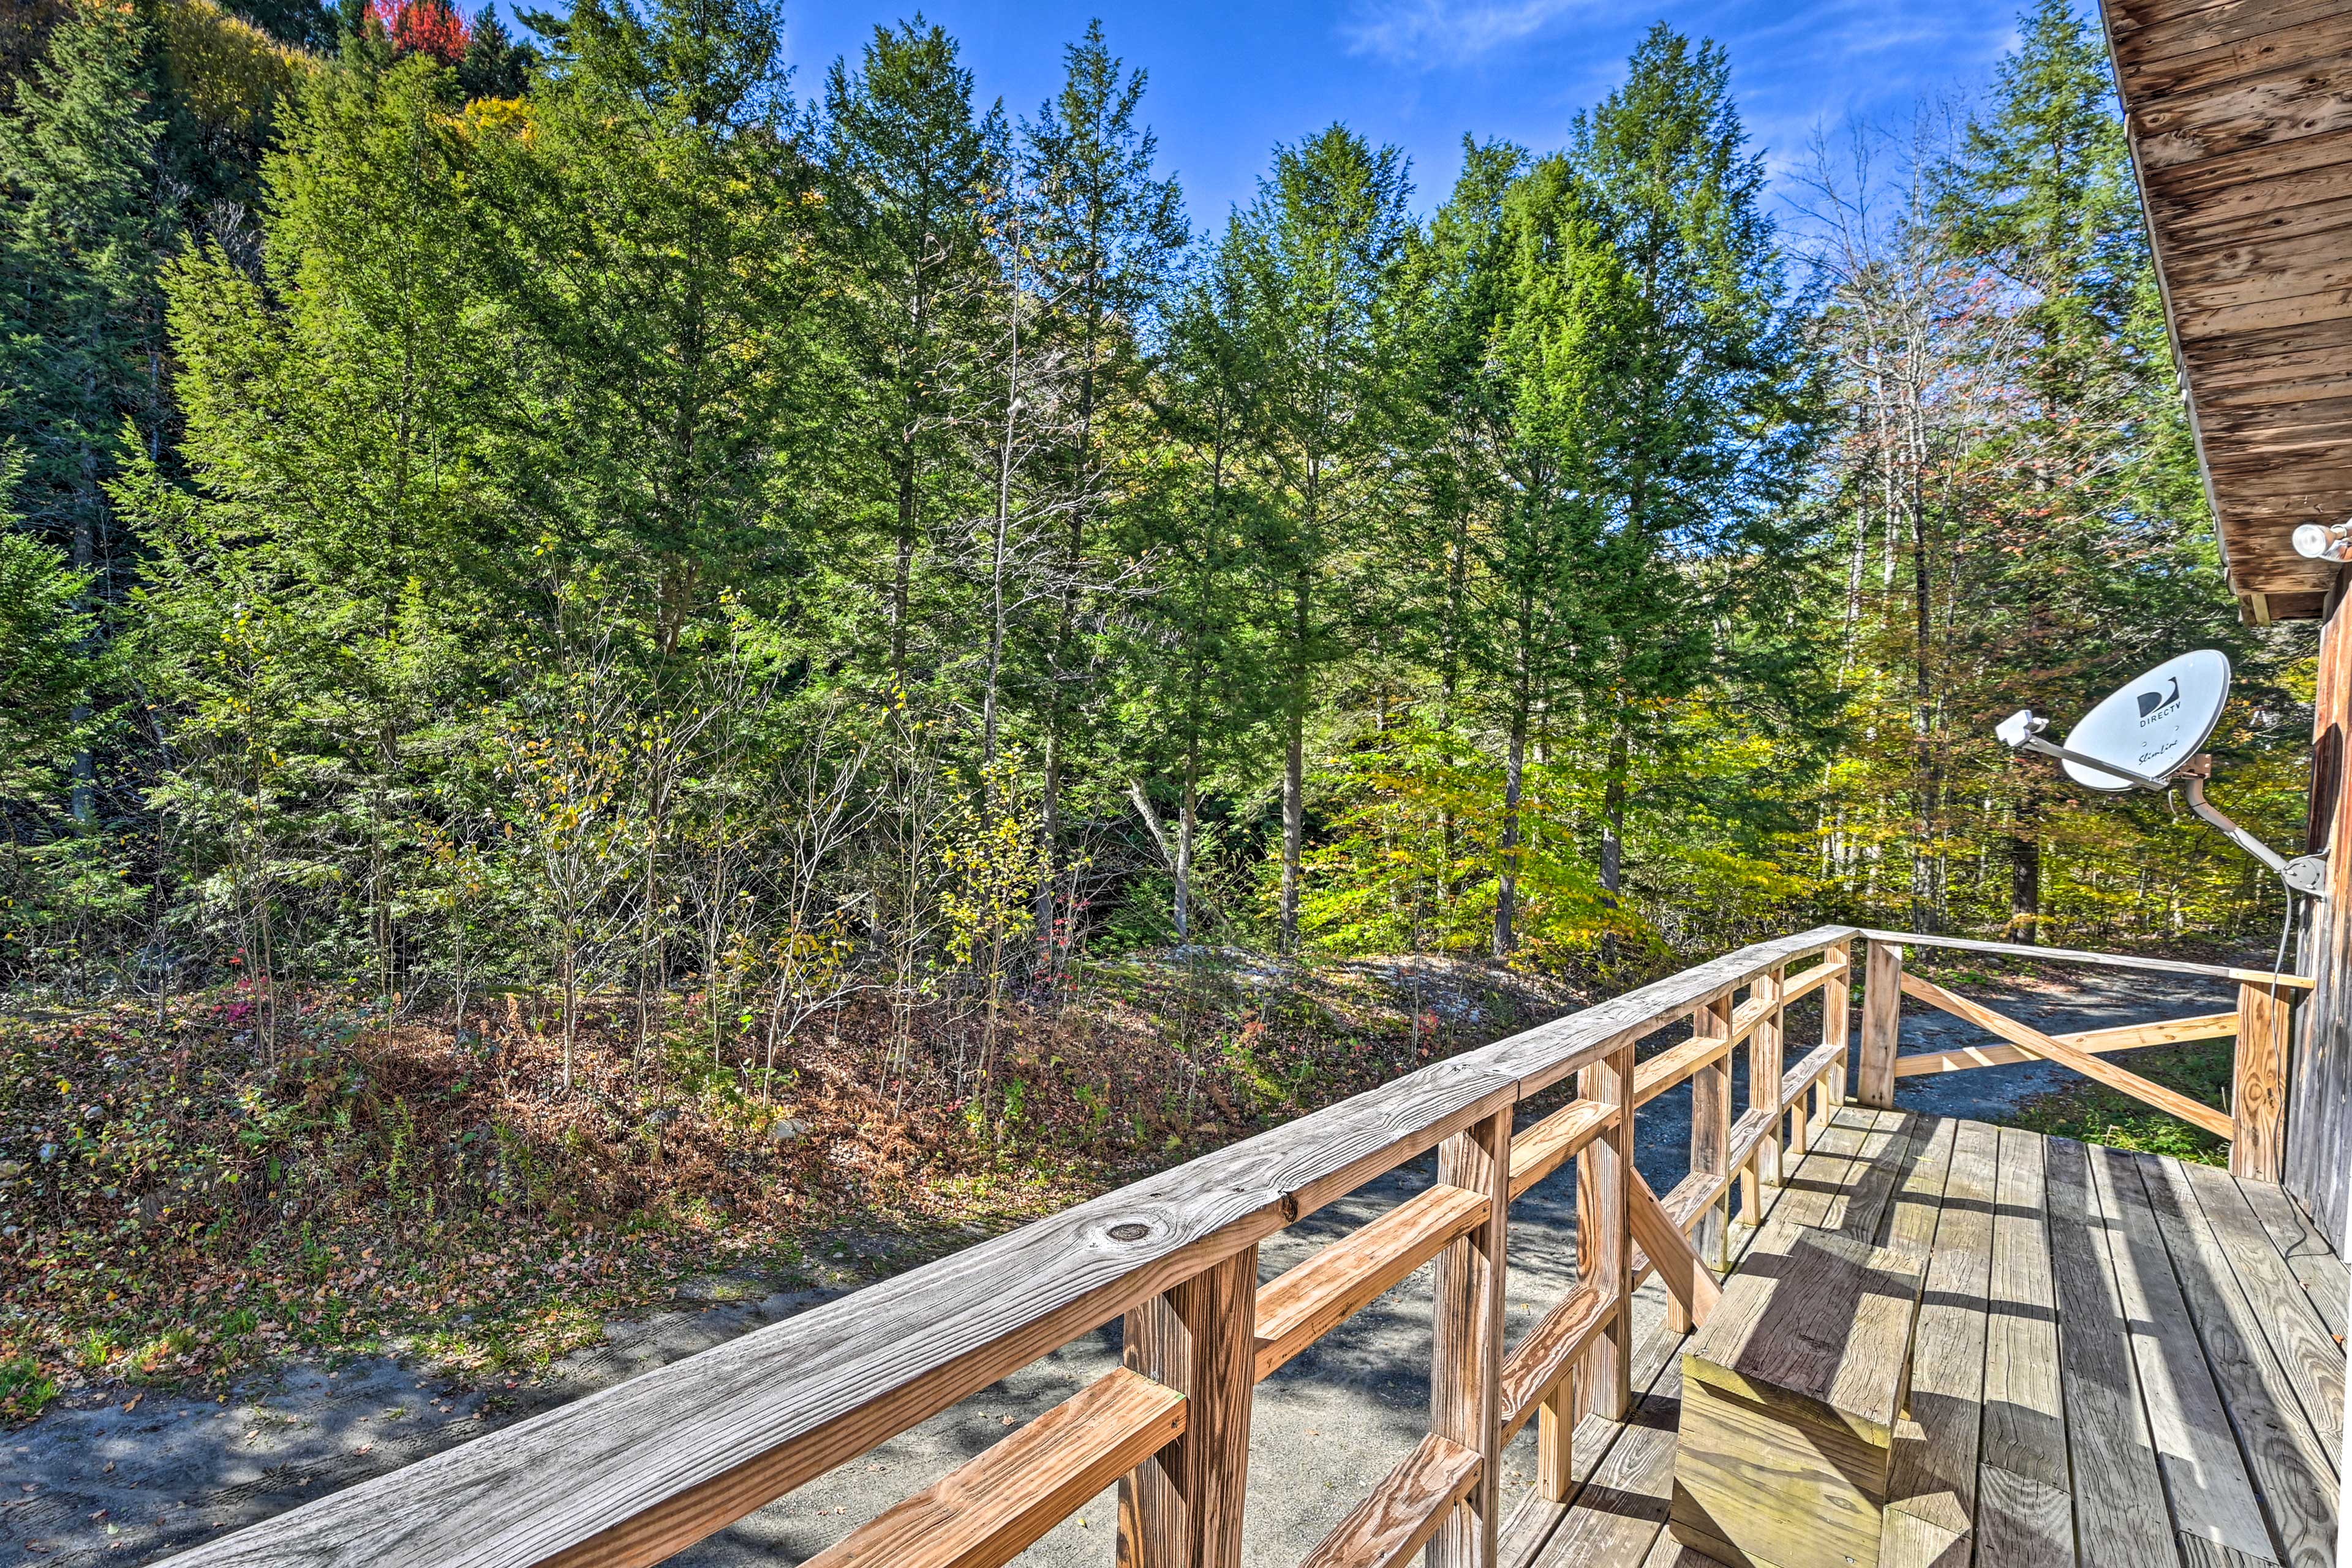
x=639 y=1473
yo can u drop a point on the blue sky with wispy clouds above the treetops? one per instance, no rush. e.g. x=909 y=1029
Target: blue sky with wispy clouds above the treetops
x=1229 y=81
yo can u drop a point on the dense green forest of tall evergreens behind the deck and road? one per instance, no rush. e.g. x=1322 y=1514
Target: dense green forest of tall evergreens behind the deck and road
x=577 y=537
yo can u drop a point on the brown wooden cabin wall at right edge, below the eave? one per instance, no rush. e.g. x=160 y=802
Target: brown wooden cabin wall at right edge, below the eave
x=2320 y=1092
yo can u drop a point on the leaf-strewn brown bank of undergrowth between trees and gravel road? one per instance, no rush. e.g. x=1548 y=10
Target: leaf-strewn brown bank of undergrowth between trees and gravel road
x=180 y=1205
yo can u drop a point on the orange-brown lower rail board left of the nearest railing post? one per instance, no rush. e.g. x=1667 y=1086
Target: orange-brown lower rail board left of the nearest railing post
x=989 y=1510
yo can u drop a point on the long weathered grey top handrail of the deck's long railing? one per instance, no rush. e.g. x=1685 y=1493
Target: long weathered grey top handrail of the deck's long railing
x=641 y=1470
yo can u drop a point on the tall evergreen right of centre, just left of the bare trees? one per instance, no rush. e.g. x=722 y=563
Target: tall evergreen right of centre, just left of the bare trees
x=1713 y=403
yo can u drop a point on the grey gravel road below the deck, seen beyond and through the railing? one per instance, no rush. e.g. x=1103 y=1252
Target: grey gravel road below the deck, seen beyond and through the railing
x=112 y=1485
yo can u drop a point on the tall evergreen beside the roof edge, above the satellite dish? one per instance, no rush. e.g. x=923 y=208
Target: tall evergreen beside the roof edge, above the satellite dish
x=2097 y=518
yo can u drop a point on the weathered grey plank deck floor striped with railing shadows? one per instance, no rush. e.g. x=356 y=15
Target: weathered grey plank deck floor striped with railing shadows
x=2120 y=1360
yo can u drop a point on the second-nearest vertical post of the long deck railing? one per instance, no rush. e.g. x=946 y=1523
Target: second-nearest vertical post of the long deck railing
x=1466 y=1339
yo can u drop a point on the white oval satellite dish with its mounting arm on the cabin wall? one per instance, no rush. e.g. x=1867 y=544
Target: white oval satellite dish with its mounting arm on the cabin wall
x=2149 y=735
